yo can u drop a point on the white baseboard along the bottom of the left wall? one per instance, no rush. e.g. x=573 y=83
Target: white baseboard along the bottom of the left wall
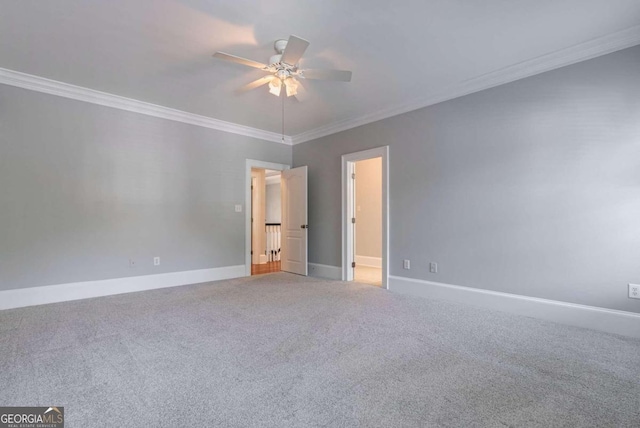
x=84 y=290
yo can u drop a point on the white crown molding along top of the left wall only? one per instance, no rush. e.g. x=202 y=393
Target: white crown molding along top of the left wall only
x=61 y=89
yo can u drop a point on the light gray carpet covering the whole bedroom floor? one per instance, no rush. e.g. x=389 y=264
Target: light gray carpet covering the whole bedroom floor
x=287 y=351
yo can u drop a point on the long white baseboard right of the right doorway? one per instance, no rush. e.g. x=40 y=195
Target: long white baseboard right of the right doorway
x=602 y=319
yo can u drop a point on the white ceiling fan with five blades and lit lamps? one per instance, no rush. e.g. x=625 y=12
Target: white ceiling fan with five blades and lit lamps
x=283 y=69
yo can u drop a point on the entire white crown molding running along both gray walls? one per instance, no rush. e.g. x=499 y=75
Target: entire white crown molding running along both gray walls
x=581 y=52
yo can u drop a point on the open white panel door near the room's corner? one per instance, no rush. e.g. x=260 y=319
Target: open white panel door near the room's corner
x=294 y=220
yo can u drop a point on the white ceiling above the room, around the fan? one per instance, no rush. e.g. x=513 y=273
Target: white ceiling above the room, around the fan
x=159 y=51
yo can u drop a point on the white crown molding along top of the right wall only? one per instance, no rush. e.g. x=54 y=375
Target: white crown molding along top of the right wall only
x=564 y=57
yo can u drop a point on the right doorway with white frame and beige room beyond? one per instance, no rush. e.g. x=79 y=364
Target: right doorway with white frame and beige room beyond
x=365 y=208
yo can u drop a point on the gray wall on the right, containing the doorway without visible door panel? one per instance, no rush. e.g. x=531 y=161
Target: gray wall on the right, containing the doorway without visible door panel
x=530 y=188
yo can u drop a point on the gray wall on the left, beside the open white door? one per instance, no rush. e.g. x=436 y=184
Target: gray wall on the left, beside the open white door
x=83 y=188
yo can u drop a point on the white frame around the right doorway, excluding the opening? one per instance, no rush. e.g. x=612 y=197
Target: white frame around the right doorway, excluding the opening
x=348 y=210
